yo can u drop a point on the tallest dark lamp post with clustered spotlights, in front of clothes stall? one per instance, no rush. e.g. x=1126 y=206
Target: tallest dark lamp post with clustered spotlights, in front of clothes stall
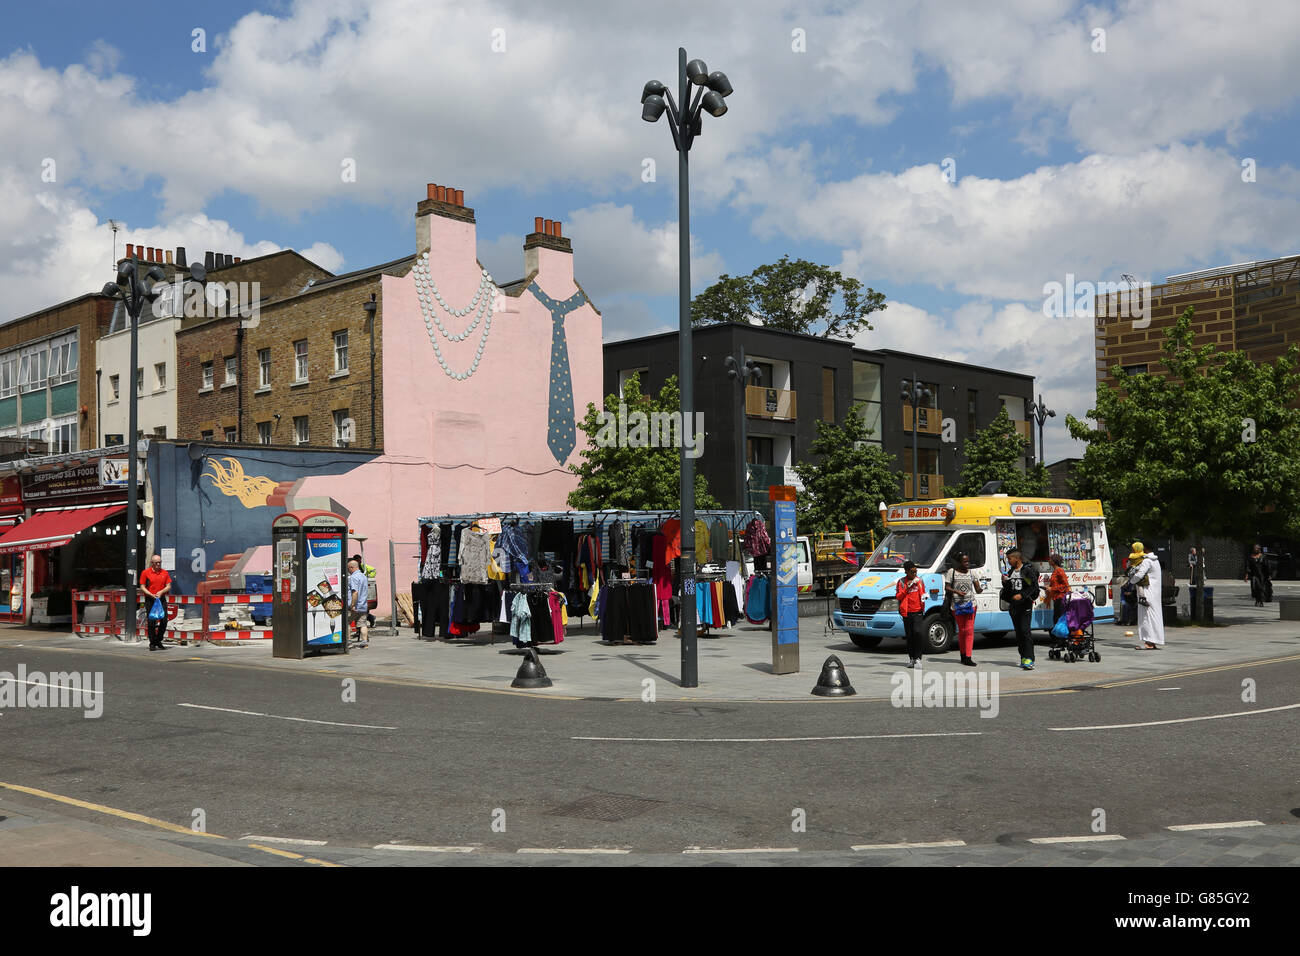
x=686 y=123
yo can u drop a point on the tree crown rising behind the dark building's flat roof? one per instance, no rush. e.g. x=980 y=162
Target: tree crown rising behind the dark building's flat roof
x=790 y=296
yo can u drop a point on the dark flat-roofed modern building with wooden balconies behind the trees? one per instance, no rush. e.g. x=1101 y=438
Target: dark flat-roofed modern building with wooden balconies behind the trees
x=811 y=379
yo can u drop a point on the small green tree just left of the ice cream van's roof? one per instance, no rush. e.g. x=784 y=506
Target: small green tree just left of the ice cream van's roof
x=848 y=481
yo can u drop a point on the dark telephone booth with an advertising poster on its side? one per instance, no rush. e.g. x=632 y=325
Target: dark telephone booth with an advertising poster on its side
x=310 y=613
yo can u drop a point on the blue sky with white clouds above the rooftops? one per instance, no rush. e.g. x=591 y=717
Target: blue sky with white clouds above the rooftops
x=955 y=155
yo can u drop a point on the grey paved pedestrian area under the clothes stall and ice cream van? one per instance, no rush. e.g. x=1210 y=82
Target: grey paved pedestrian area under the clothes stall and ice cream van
x=736 y=664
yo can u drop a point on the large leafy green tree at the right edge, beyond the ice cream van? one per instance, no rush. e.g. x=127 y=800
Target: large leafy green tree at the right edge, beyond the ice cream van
x=1208 y=449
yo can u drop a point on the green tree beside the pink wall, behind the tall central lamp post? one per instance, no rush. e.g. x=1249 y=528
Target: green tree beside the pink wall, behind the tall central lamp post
x=632 y=479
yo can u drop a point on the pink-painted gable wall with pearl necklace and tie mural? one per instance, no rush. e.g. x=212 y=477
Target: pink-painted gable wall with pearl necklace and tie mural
x=495 y=422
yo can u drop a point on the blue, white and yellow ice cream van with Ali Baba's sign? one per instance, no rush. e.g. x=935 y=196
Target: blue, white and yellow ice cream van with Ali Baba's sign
x=931 y=534
